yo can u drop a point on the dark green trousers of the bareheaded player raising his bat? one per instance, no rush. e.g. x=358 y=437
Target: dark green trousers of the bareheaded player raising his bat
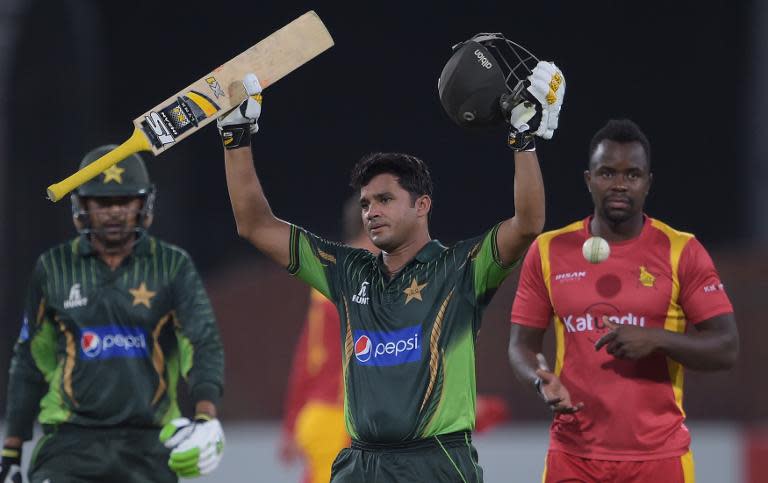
x=448 y=458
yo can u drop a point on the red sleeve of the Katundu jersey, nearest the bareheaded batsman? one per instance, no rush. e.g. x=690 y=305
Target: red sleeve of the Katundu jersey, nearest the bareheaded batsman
x=532 y=306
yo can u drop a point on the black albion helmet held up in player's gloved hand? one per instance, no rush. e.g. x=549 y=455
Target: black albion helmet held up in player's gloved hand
x=484 y=79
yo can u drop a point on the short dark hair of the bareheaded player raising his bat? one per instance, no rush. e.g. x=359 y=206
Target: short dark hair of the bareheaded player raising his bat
x=411 y=172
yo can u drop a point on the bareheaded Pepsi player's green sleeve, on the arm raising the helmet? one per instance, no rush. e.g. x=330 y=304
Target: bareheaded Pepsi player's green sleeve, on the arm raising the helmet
x=487 y=269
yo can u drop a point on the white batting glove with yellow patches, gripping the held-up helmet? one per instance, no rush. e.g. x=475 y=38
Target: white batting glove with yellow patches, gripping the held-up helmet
x=548 y=88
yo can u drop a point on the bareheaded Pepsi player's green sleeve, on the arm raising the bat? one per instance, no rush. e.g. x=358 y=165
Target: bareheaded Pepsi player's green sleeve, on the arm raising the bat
x=317 y=261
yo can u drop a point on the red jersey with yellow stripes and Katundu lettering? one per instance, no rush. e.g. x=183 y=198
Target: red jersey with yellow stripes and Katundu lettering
x=633 y=410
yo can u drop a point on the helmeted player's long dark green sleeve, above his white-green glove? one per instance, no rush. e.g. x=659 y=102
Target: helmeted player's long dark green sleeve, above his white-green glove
x=201 y=350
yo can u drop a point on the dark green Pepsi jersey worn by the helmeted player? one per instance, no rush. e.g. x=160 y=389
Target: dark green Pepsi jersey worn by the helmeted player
x=106 y=348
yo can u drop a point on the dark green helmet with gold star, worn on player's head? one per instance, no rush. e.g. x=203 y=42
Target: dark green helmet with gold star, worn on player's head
x=129 y=177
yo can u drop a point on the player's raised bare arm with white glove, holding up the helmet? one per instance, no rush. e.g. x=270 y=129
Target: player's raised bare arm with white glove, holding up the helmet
x=544 y=100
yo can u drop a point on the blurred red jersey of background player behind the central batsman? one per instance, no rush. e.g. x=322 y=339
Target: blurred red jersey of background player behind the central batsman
x=316 y=369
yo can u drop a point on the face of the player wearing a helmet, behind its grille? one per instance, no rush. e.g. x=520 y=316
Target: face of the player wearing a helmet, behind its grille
x=113 y=219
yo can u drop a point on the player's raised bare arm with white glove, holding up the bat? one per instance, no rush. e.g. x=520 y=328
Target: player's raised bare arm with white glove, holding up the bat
x=253 y=215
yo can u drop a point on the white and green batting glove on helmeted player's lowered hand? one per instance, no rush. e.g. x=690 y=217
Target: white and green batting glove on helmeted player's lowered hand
x=196 y=446
